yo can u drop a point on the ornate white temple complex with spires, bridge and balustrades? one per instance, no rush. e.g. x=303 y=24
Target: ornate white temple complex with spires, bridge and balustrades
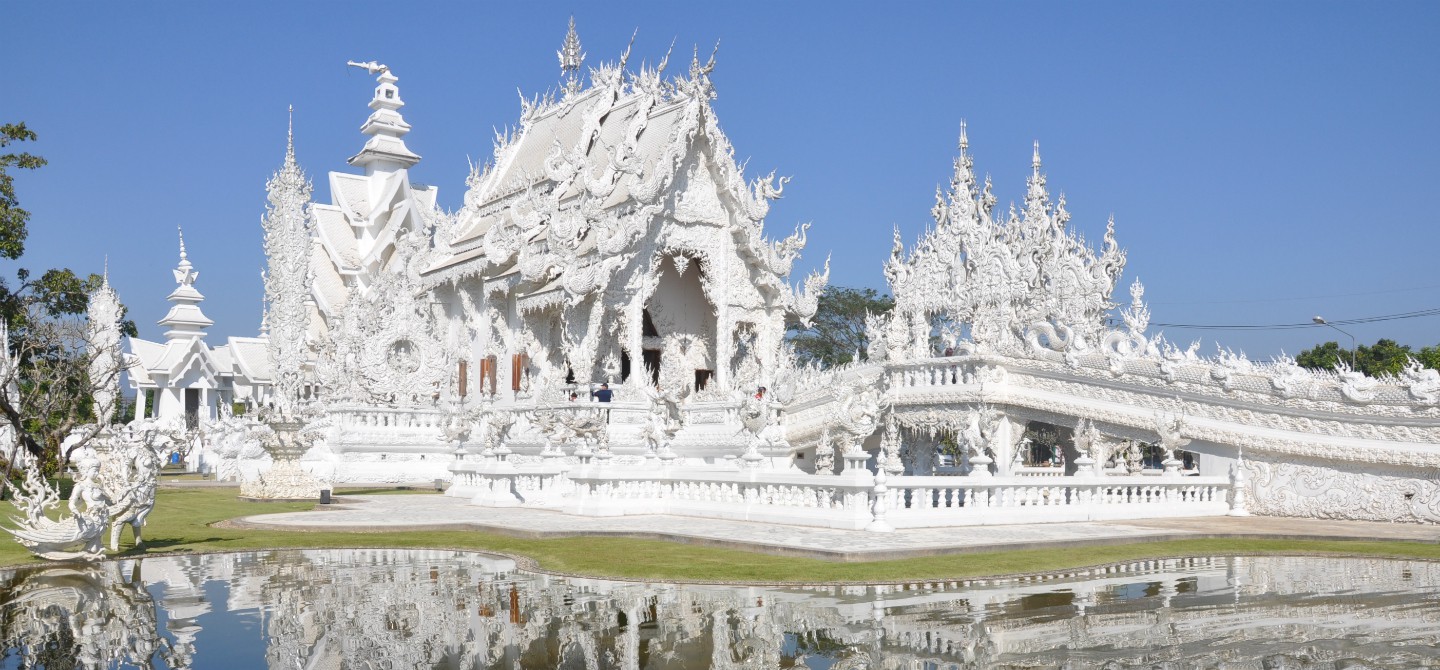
x=614 y=240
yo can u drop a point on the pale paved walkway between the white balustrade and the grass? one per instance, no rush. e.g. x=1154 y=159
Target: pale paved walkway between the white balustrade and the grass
x=381 y=514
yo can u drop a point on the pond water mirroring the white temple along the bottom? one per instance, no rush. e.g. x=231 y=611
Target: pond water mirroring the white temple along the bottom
x=449 y=610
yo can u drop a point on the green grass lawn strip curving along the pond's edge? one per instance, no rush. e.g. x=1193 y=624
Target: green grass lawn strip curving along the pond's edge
x=184 y=518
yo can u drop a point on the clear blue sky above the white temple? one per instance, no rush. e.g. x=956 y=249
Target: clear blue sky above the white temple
x=1265 y=162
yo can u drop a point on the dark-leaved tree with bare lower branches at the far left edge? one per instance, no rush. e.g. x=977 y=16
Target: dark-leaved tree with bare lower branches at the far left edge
x=45 y=378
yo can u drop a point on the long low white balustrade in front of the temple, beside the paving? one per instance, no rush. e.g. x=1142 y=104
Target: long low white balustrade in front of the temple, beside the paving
x=862 y=501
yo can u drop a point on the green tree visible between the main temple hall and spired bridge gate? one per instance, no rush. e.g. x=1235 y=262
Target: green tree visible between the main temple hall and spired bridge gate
x=839 y=329
